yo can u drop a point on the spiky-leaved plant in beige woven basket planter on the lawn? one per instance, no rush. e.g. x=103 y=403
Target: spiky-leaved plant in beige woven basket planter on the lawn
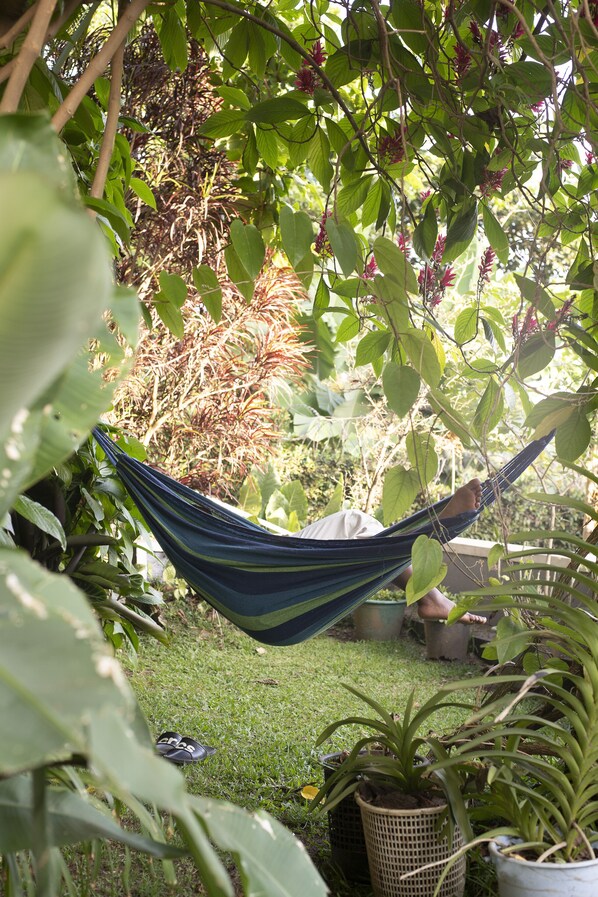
x=404 y=805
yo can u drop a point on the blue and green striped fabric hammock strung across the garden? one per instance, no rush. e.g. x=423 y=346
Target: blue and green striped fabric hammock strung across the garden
x=282 y=590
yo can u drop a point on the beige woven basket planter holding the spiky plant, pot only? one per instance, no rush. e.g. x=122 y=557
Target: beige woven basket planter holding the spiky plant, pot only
x=400 y=841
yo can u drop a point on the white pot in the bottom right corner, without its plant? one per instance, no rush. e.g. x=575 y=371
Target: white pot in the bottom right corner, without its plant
x=521 y=878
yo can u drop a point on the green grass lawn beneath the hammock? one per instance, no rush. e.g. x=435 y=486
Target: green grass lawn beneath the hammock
x=262 y=708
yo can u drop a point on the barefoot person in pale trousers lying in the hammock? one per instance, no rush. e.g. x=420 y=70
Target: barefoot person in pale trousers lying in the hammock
x=353 y=524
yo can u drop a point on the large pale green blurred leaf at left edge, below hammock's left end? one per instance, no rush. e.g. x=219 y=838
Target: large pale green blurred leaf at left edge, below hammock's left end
x=55 y=668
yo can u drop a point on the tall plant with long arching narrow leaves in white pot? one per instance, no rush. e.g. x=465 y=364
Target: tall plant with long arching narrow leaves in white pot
x=539 y=744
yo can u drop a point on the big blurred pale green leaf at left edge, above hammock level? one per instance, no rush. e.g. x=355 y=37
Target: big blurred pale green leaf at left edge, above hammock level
x=54 y=287
